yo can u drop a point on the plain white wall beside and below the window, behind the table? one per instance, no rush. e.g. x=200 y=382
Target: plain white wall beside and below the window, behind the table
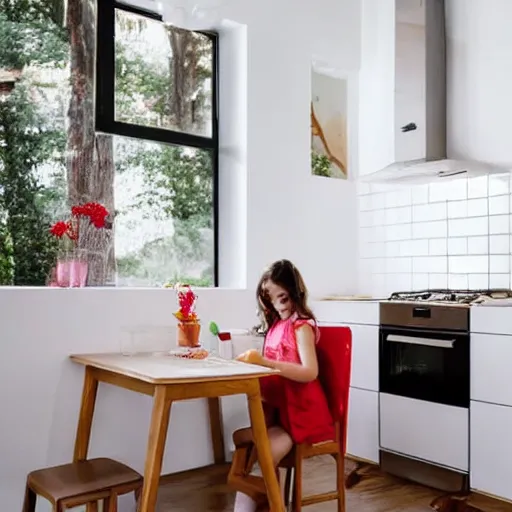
x=289 y=214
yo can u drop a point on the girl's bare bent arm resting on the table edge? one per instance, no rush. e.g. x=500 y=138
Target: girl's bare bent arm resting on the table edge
x=307 y=369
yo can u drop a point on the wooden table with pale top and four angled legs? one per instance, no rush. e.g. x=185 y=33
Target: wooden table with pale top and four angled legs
x=168 y=379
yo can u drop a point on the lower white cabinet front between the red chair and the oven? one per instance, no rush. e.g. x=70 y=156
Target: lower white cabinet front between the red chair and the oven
x=363 y=425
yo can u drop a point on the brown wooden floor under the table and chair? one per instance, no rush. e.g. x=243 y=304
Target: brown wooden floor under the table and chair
x=206 y=491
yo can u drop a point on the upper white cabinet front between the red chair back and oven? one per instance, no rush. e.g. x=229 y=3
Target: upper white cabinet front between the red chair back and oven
x=365 y=357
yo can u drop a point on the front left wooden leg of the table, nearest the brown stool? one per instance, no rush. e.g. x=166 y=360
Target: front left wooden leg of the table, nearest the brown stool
x=155 y=451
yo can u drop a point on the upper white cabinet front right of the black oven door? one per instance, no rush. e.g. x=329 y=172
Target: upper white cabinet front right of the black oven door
x=491 y=355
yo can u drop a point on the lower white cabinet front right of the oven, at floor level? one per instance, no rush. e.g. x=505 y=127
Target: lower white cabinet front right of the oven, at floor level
x=491 y=449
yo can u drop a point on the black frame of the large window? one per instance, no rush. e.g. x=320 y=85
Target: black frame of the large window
x=105 y=121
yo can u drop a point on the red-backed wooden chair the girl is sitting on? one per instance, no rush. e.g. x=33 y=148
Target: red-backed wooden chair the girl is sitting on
x=334 y=359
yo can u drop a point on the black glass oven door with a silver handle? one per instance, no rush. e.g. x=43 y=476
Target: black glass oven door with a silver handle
x=425 y=365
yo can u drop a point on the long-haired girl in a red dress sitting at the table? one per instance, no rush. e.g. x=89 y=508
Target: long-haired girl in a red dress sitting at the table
x=295 y=404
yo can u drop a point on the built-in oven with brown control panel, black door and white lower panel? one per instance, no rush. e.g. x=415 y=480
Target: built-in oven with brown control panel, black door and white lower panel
x=424 y=388
